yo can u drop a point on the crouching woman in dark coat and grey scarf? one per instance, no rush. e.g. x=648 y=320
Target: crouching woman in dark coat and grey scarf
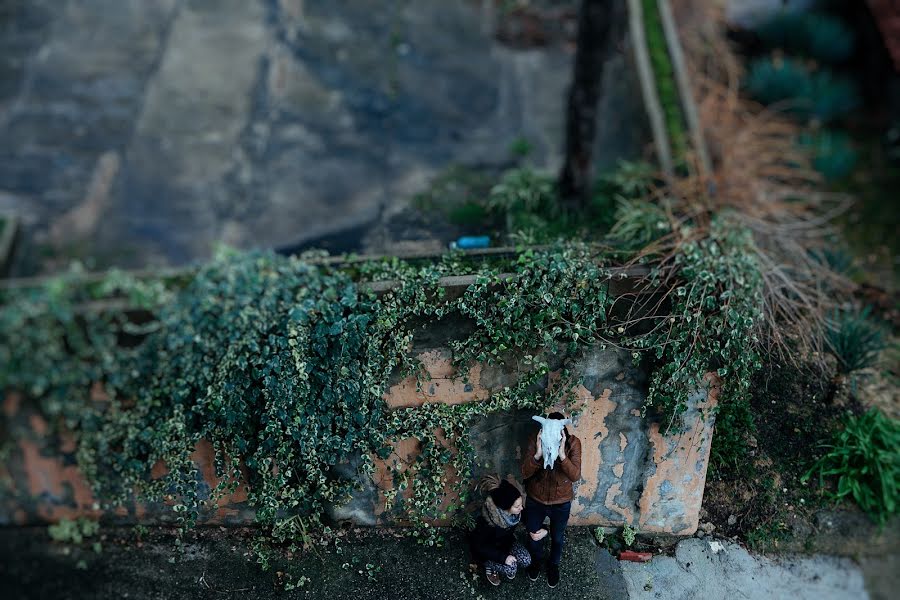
x=493 y=541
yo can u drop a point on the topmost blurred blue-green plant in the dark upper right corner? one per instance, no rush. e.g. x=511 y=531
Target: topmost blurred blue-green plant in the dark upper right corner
x=814 y=35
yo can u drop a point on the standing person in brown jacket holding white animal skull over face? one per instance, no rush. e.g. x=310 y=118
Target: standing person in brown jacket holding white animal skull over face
x=550 y=494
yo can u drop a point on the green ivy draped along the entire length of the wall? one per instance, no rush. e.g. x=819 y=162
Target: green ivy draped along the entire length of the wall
x=281 y=365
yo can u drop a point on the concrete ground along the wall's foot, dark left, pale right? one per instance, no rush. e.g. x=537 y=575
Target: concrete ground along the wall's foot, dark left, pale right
x=382 y=564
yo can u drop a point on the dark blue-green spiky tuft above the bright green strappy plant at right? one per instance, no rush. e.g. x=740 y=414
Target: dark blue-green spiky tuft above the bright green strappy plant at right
x=854 y=339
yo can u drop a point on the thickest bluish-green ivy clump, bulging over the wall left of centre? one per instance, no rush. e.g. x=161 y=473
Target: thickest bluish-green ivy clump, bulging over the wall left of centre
x=260 y=357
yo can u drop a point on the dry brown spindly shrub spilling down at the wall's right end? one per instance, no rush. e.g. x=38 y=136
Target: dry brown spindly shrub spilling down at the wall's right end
x=765 y=181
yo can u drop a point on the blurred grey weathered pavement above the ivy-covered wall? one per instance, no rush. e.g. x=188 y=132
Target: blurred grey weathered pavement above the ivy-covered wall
x=143 y=132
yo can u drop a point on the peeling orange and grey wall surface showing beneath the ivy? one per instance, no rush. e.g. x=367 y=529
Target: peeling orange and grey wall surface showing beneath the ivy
x=633 y=472
